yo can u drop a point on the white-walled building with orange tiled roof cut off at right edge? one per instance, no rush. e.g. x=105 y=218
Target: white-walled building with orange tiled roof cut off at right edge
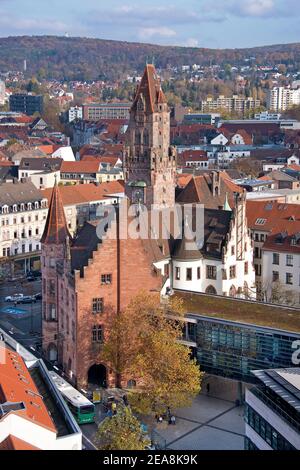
x=275 y=229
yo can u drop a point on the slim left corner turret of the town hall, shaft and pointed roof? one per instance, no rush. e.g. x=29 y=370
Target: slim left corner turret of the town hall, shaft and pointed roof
x=55 y=254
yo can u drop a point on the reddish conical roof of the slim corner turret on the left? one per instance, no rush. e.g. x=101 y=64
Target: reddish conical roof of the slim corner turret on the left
x=56 y=231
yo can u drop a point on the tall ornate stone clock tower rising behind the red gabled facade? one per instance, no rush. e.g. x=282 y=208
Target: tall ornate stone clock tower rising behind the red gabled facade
x=150 y=162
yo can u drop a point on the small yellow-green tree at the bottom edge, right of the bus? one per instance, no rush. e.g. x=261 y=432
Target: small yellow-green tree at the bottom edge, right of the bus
x=121 y=432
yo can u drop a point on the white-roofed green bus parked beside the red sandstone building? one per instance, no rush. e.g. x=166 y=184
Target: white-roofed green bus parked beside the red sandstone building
x=82 y=409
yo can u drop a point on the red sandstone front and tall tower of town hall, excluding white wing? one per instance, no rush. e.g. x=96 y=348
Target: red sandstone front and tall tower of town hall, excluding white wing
x=87 y=280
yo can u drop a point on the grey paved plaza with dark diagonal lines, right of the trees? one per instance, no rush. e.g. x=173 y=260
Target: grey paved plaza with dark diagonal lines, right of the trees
x=209 y=424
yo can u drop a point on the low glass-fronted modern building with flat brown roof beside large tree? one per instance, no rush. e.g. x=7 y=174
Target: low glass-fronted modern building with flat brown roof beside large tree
x=231 y=338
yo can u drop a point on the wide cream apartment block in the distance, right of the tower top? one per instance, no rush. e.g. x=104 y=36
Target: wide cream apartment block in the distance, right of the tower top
x=239 y=104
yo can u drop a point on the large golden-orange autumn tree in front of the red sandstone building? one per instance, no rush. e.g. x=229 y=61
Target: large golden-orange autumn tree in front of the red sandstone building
x=143 y=346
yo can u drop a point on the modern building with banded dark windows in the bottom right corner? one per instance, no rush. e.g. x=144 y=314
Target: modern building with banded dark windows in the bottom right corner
x=272 y=413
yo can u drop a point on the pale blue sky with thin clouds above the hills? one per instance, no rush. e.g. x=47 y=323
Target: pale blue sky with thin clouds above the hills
x=203 y=23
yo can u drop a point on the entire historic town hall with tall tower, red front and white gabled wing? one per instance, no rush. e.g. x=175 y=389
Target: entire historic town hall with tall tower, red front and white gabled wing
x=88 y=279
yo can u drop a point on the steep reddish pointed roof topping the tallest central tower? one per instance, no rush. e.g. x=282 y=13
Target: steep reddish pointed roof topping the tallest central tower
x=150 y=90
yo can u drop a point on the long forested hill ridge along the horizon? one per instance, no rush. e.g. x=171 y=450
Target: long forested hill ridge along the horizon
x=84 y=58
